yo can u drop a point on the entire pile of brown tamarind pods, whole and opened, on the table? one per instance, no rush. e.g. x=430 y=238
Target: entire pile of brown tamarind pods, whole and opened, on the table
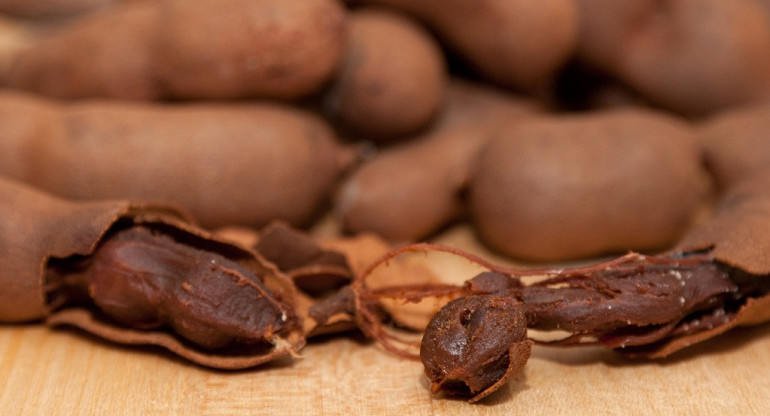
x=558 y=130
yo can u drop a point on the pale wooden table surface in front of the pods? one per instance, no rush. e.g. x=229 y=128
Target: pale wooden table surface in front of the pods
x=63 y=372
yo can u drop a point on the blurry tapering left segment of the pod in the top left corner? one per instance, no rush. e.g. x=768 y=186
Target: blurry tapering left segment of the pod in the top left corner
x=106 y=53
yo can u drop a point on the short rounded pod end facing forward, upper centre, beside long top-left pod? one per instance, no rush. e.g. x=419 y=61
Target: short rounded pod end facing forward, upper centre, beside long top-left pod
x=392 y=80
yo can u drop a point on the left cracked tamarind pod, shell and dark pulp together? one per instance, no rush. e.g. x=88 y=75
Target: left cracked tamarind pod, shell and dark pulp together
x=141 y=274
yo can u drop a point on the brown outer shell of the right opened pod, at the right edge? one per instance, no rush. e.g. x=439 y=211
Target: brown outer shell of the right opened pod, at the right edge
x=735 y=238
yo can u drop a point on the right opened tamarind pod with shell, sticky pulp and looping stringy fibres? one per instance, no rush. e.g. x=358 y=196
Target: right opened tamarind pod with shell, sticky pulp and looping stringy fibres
x=715 y=279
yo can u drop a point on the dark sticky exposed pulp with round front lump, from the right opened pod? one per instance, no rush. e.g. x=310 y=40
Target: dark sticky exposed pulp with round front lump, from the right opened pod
x=646 y=306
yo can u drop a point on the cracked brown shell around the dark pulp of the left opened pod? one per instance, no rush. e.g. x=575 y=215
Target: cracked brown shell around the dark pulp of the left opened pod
x=38 y=227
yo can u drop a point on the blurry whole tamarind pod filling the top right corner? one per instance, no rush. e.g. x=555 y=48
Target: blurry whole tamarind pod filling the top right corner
x=690 y=56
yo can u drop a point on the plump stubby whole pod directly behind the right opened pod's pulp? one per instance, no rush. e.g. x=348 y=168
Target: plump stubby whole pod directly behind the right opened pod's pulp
x=574 y=186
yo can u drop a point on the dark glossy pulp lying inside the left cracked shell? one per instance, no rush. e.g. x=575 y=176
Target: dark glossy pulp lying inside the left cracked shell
x=146 y=280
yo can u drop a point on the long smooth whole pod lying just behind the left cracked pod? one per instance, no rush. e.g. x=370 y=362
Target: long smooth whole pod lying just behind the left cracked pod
x=226 y=164
